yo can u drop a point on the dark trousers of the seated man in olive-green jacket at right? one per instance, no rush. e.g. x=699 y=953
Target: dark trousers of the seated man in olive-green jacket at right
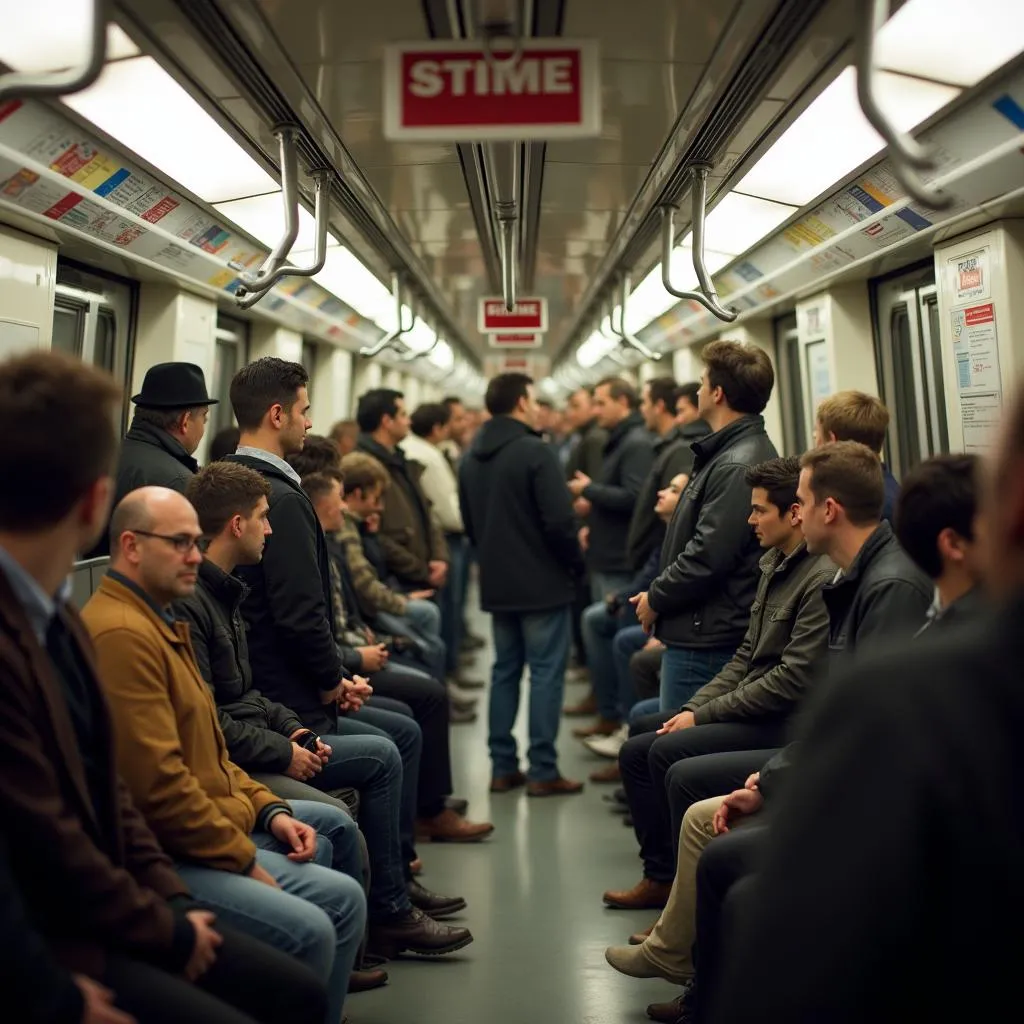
x=704 y=761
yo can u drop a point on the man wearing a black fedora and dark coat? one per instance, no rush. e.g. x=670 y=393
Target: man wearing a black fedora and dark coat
x=170 y=419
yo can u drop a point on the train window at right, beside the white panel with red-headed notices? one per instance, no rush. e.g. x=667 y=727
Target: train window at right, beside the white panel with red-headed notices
x=908 y=348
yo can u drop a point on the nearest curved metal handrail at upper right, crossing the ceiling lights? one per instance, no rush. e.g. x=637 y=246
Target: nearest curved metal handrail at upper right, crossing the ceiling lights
x=908 y=155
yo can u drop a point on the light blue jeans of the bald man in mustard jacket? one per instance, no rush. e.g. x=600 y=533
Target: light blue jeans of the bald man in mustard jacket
x=319 y=915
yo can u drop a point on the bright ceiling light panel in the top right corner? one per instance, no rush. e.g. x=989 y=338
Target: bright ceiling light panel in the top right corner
x=951 y=41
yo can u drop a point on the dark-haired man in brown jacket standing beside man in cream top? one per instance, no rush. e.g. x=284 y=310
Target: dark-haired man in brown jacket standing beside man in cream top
x=413 y=542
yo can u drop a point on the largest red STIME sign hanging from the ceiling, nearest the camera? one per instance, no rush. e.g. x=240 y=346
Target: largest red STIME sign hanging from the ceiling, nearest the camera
x=458 y=92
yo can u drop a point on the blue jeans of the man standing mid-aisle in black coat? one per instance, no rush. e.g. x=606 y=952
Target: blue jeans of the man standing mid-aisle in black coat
x=542 y=642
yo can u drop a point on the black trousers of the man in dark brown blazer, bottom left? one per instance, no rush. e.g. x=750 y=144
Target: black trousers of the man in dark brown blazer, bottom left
x=249 y=983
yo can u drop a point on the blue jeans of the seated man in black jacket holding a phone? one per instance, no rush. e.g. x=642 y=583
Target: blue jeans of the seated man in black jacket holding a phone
x=372 y=765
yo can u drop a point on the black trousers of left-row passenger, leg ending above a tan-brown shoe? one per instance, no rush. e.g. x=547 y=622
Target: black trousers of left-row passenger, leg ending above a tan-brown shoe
x=430 y=704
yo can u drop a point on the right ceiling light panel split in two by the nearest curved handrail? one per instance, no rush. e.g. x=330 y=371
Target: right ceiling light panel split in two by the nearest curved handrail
x=832 y=138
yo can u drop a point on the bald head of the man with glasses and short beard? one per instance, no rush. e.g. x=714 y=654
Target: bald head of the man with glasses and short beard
x=155 y=537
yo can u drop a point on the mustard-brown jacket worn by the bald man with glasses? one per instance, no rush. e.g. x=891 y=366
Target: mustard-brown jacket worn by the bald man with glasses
x=169 y=745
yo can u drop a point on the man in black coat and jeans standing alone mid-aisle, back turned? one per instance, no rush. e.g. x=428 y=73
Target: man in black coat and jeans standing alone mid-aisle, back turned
x=518 y=513
